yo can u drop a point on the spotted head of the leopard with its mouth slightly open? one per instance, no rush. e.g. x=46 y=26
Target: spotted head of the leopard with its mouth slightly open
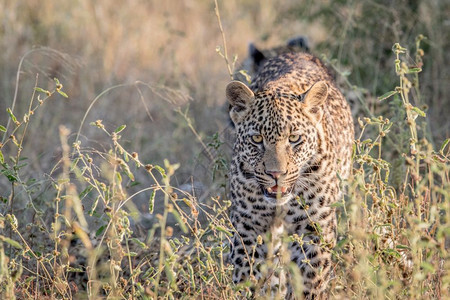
x=277 y=135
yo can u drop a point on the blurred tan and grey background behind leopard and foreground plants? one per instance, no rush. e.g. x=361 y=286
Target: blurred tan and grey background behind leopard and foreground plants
x=166 y=55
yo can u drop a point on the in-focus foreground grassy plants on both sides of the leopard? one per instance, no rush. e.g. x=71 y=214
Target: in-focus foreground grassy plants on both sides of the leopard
x=392 y=236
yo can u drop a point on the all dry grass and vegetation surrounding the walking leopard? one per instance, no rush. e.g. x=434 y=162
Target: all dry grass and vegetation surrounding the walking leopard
x=92 y=208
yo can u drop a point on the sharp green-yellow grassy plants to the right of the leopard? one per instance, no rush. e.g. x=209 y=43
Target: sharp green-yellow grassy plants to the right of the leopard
x=394 y=222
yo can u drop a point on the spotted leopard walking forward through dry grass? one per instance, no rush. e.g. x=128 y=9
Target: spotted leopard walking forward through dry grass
x=293 y=149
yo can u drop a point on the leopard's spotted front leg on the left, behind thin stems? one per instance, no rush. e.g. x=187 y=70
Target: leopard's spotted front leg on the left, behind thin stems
x=259 y=243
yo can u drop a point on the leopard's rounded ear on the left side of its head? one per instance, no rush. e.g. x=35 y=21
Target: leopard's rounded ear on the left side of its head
x=239 y=96
